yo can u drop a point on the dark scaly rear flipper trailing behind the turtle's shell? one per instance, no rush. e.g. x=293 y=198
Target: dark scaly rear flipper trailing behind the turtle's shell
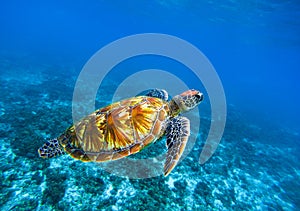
x=51 y=149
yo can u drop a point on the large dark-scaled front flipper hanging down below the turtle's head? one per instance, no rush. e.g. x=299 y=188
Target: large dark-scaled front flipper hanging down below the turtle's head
x=177 y=132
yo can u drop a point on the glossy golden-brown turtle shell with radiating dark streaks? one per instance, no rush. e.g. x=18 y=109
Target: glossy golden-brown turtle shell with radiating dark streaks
x=118 y=130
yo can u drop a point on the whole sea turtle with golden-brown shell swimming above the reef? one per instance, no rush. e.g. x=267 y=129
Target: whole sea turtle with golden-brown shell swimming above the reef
x=124 y=128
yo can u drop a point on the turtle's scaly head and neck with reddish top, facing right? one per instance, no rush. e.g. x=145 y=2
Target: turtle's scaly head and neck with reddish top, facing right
x=186 y=101
